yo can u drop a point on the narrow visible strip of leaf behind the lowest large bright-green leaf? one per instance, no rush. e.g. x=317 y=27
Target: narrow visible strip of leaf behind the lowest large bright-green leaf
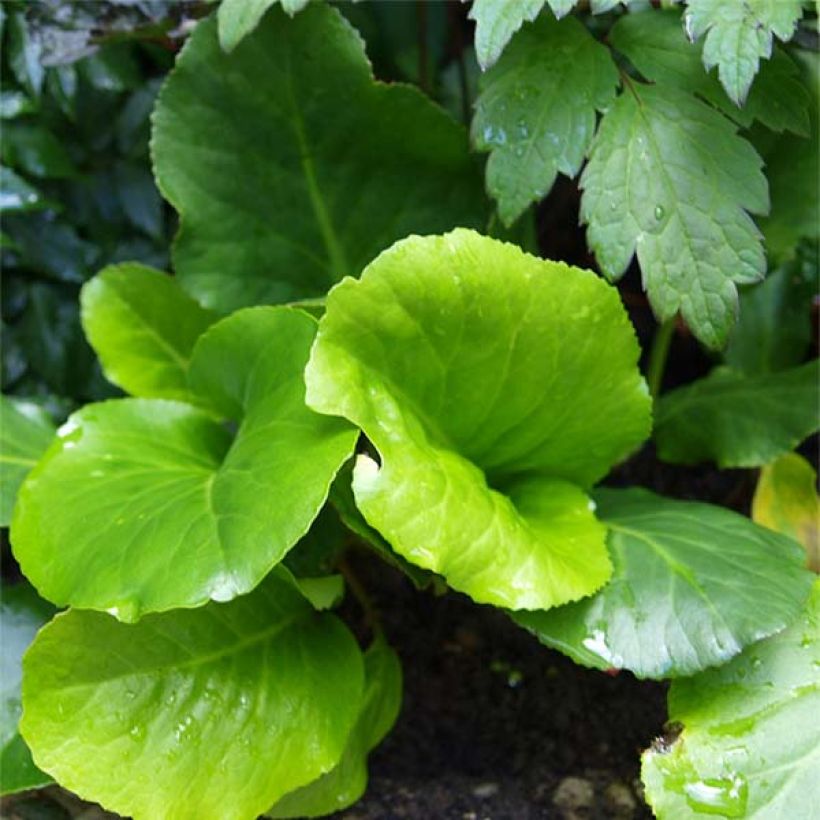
x=345 y=784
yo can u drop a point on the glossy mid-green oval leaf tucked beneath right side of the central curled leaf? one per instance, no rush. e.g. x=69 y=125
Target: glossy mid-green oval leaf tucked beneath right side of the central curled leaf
x=693 y=584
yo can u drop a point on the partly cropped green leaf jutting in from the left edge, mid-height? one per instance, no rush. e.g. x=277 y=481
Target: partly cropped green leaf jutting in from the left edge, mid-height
x=25 y=433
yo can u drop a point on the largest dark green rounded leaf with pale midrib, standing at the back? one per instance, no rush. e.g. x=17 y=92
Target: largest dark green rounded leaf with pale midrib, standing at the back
x=301 y=168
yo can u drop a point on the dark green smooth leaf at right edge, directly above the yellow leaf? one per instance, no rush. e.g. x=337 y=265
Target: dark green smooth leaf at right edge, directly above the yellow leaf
x=738 y=421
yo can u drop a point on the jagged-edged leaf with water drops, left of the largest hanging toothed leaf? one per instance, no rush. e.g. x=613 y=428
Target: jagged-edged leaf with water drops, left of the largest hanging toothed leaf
x=536 y=111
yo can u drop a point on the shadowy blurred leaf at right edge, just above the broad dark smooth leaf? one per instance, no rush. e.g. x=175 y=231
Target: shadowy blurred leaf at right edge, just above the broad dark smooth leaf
x=773 y=331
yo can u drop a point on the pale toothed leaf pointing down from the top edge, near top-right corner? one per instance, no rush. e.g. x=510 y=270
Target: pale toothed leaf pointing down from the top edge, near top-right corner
x=739 y=34
